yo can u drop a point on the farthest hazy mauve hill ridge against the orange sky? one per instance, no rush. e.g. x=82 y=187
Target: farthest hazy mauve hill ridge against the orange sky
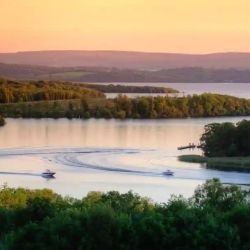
x=131 y=60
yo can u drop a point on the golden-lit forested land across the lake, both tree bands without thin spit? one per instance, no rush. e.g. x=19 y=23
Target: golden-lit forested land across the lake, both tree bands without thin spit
x=37 y=99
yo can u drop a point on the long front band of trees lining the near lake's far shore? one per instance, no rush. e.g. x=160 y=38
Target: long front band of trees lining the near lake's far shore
x=205 y=105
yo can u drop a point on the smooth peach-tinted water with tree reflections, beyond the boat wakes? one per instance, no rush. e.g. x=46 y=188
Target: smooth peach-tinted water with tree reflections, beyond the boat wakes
x=168 y=134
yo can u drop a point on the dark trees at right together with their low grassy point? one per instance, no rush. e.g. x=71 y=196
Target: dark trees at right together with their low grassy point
x=225 y=146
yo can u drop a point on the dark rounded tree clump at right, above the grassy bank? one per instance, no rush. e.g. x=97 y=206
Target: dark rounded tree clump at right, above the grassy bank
x=226 y=139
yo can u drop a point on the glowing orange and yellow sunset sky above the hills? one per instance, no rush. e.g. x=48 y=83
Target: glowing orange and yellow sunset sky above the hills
x=191 y=26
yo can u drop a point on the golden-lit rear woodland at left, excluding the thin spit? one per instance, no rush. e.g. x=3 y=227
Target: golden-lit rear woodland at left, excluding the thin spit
x=12 y=91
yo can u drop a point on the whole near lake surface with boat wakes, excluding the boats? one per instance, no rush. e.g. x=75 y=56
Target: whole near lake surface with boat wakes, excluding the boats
x=105 y=155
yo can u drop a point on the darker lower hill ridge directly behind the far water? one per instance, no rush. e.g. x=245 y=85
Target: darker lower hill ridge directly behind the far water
x=98 y=74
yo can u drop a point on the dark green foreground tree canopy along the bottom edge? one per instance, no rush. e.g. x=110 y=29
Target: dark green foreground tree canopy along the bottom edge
x=216 y=217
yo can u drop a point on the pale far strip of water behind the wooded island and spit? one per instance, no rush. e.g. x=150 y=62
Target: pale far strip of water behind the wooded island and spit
x=236 y=89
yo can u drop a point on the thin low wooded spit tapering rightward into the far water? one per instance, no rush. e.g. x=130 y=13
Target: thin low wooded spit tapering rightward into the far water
x=111 y=88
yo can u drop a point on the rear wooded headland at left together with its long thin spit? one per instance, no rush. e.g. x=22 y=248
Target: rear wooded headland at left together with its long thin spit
x=14 y=91
